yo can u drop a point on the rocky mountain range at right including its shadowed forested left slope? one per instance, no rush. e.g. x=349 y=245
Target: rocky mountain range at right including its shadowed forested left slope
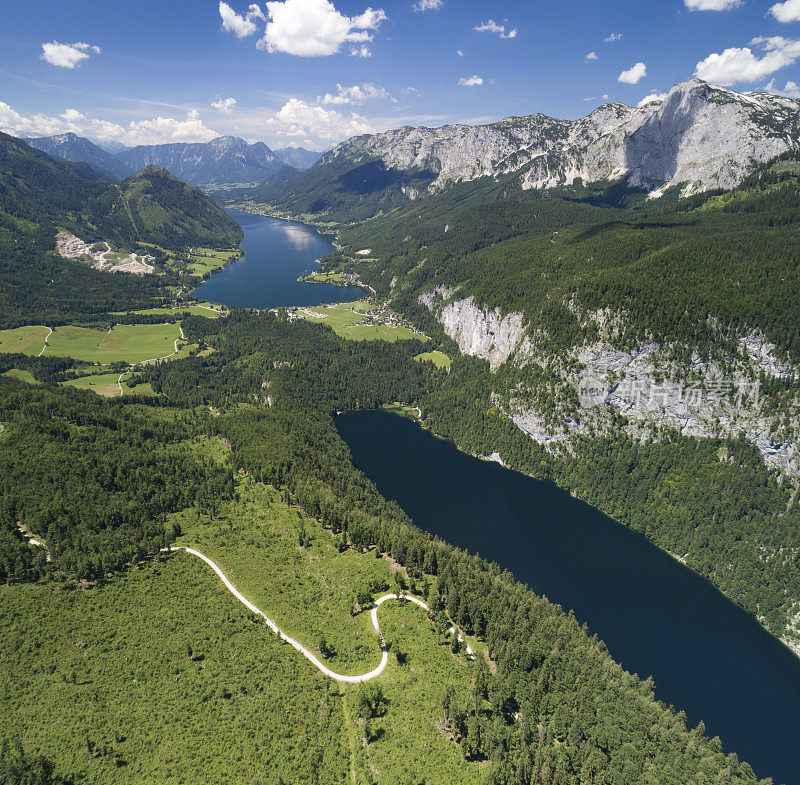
x=698 y=137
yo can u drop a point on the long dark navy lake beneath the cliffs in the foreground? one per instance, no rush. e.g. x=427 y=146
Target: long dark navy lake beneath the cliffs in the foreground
x=706 y=655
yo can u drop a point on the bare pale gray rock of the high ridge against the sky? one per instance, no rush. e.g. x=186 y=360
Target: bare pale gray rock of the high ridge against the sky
x=699 y=136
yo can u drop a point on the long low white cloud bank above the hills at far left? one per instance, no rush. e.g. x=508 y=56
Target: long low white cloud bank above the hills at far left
x=157 y=130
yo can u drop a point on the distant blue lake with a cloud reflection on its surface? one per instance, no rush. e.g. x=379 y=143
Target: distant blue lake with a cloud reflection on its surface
x=276 y=253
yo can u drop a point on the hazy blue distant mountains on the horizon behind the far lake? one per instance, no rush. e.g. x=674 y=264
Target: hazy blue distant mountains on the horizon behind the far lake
x=224 y=161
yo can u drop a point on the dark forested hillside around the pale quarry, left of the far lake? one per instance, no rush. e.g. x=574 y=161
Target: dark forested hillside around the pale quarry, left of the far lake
x=39 y=196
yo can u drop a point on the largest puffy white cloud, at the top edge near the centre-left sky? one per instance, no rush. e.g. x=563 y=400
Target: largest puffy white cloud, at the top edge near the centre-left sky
x=314 y=28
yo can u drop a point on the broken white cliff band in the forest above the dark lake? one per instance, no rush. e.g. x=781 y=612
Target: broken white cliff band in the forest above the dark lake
x=654 y=393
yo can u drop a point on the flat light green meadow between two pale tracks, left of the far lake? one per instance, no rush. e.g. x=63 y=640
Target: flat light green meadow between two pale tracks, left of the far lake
x=130 y=343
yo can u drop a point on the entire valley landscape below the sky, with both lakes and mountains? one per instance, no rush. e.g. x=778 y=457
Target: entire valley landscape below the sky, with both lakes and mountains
x=237 y=404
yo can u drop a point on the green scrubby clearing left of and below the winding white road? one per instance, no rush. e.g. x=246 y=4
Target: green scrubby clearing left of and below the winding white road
x=161 y=676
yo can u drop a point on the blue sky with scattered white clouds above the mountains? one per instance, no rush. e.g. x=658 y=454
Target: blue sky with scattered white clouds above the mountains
x=313 y=72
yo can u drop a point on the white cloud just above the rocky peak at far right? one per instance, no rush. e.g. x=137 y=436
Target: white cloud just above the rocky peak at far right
x=740 y=64
